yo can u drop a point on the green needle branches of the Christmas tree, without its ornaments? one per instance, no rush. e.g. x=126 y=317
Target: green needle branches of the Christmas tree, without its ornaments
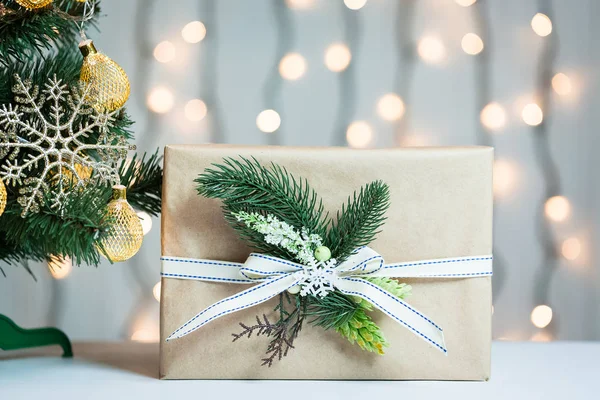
x=37 y=45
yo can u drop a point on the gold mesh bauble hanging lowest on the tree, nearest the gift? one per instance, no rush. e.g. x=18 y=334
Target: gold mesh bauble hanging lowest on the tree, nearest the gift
x=124 y=237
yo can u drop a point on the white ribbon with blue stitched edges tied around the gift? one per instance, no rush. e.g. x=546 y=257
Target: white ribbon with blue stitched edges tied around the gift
x=276 y=275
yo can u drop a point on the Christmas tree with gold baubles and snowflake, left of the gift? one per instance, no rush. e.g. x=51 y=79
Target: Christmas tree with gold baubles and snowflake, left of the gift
x=64 y=139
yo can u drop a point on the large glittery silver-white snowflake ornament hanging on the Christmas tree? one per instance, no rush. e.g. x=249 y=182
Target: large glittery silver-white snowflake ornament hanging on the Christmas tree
x=56 y=144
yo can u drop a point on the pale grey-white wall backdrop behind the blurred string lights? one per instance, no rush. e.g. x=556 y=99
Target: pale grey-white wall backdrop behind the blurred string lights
x=229 y=68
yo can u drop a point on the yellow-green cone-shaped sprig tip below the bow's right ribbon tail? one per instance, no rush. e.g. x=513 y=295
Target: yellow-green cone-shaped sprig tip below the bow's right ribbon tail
x=364 y=332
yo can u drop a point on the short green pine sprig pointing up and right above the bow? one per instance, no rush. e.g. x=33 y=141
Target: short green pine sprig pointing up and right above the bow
x=359 y=221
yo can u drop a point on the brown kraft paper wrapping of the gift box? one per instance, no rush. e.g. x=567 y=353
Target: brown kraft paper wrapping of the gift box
x=441 y=206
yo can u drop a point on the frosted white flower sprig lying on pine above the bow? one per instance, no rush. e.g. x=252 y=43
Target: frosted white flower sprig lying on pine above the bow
x=301 y=244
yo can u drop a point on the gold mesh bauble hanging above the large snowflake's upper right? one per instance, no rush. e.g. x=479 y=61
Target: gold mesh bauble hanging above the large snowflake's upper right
x=107 y=83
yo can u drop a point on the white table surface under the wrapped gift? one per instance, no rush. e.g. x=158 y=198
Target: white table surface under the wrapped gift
x=558 y=370
